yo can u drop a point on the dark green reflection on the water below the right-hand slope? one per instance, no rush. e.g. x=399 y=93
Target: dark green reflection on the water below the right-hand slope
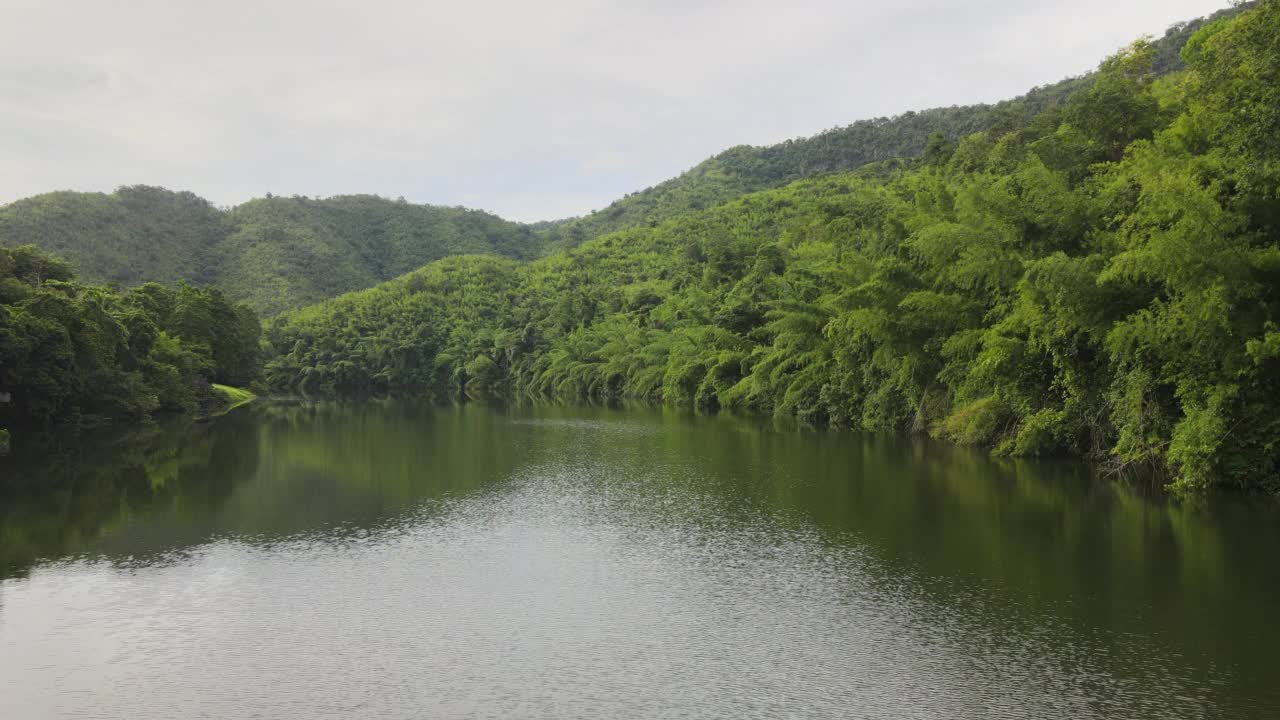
x=1013 y=543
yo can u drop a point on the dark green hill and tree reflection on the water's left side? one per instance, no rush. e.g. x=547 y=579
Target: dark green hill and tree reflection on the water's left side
x=263 y=475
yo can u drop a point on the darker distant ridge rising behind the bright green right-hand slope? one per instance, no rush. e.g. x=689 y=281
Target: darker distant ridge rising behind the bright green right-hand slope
x=748 y=168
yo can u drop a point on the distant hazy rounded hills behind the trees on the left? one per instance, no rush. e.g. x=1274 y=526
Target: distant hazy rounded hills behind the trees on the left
x=275 y=253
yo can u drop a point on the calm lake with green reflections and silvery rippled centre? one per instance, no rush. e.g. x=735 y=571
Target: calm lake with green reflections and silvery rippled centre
x=387 y=559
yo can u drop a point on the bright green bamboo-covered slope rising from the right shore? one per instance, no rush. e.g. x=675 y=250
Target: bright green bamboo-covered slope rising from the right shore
x=1101 y=280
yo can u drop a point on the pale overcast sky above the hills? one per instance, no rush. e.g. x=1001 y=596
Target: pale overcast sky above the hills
x=529 y=110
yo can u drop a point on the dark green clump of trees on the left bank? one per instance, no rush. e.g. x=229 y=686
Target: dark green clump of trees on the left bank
x=80 y=353
